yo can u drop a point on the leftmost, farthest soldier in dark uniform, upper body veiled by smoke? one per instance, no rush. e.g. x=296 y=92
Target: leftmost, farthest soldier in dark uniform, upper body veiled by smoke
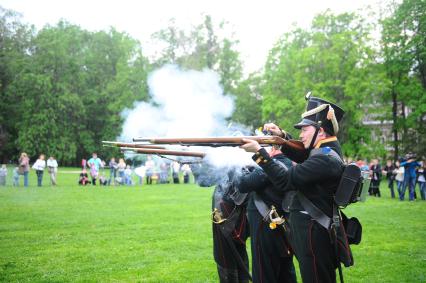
x=230 y=226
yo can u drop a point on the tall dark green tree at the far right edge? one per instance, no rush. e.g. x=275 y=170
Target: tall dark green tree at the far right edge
x=404 y=53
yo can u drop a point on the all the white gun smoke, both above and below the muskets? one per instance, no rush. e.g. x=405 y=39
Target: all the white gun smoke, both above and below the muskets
x=189 y=103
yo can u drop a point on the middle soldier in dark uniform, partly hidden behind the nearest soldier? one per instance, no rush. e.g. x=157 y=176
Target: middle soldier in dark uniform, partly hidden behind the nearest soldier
x=272 y=258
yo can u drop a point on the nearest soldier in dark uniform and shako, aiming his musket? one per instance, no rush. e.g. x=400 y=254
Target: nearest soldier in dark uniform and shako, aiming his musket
x=315 y=180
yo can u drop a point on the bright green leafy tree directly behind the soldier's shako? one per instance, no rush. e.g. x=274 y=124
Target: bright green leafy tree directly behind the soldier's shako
x=334 y=60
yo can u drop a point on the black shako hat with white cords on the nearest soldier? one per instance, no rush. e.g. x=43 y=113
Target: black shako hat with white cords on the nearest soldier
x=321 y=113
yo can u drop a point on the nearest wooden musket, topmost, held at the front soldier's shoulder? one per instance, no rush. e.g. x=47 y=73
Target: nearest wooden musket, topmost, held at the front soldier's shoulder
x=295 y=150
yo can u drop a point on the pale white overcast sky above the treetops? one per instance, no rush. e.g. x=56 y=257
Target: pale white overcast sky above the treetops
x=257 y=25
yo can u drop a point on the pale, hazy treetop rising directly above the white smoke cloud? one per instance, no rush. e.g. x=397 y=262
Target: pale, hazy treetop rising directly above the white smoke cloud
x=201 y=48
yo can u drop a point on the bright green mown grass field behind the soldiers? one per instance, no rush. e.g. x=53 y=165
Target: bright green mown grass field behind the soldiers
x=162 y=233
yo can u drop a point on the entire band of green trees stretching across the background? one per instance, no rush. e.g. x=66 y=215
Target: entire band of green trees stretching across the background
x=62 y=88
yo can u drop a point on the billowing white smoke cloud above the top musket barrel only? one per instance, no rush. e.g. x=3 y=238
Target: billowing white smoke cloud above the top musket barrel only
x=184 y=104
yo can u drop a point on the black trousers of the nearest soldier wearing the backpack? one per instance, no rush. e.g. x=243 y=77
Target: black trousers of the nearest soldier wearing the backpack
x=313 y=248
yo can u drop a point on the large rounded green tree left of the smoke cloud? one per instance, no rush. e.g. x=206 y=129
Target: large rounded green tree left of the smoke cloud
x=74 y=89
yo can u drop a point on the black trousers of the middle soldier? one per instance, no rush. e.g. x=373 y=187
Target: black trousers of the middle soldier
x=272 y=260
